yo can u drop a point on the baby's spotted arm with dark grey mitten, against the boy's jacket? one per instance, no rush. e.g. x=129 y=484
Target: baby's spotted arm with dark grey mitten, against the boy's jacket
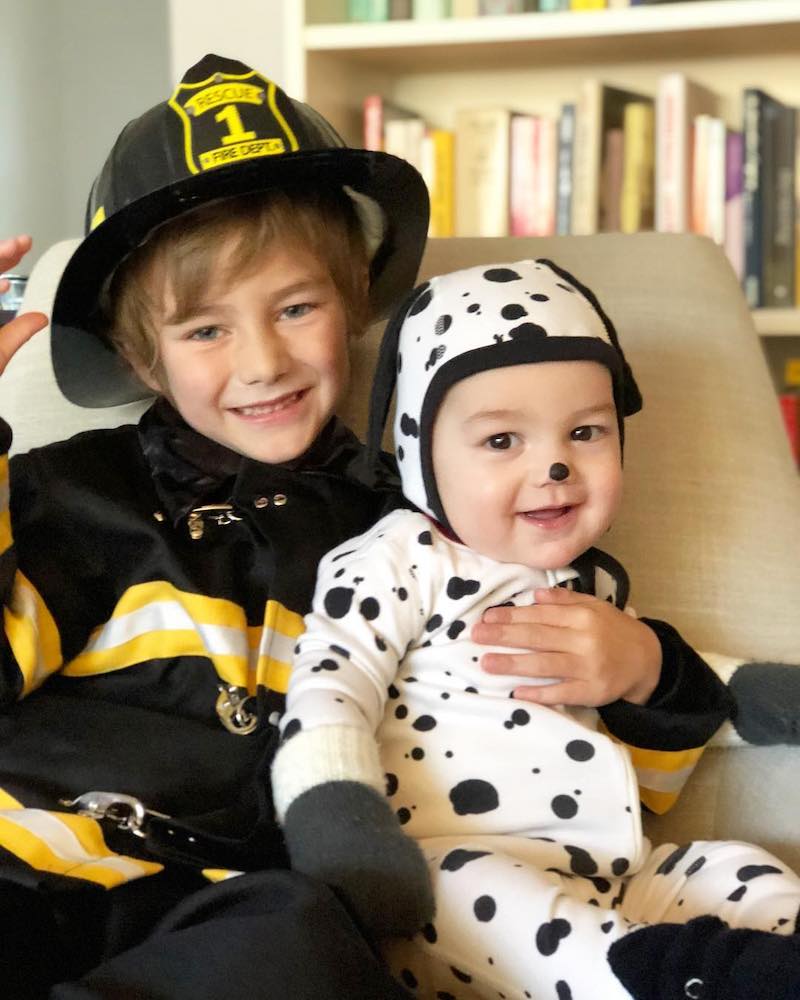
x=328 y=782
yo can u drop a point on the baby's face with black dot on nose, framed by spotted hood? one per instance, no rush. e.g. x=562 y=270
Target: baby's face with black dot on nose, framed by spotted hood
x=495 y=438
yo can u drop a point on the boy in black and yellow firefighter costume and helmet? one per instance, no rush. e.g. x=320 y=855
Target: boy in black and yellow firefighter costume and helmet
x=154 y=578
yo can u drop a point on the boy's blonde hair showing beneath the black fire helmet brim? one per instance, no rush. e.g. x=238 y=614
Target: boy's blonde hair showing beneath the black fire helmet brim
x=183 y=256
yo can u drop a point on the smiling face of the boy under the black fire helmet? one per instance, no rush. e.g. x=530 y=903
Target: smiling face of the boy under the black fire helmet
x=260 y=363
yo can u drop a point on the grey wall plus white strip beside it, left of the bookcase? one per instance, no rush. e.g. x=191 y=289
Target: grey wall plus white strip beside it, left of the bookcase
x=73 y=72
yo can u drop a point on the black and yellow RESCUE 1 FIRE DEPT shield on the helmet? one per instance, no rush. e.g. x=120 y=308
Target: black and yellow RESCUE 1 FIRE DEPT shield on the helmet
x=230 y=117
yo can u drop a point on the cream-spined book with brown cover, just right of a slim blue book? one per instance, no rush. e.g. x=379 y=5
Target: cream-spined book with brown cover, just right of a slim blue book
x=600 y=107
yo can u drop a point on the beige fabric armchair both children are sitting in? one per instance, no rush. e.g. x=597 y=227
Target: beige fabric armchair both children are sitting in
x=710 y=527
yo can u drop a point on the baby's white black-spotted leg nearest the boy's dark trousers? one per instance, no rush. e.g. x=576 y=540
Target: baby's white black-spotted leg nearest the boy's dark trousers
x=504 y=929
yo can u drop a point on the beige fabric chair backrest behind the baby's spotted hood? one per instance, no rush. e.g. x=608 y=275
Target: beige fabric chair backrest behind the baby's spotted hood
x=710 y=525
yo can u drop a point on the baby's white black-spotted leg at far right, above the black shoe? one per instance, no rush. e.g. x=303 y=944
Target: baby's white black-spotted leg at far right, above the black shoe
x=742 y=884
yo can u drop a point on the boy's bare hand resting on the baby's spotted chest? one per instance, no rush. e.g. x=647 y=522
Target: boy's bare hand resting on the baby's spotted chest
x=597 y=652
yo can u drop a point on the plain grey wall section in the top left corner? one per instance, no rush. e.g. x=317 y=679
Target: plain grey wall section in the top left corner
x=72 y=73
